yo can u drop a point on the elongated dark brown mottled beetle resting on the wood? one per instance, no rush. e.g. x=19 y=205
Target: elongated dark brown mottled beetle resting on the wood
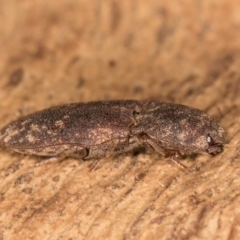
x=98 y=129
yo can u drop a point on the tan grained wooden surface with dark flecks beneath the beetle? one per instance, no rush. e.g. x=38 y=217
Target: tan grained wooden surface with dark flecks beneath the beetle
x=55 y=52
